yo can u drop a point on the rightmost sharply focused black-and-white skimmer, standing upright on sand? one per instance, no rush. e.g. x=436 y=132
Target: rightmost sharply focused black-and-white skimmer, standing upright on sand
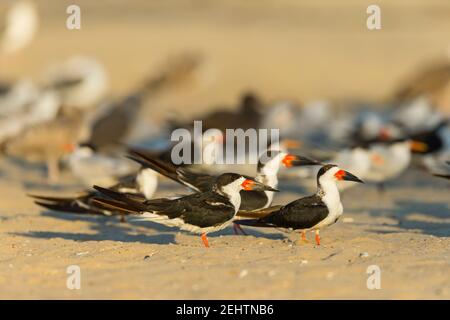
x=310 y=213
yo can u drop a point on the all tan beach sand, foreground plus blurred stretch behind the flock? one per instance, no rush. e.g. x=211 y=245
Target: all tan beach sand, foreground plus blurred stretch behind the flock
x=282 y=49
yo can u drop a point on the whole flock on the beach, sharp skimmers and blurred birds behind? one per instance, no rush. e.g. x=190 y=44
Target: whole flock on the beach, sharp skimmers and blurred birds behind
x=65 y=121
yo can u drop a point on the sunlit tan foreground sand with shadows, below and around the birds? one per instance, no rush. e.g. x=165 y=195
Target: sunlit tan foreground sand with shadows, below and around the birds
x=405 y=232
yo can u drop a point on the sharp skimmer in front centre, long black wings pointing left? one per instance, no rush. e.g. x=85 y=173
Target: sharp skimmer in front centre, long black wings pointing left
x=200 y=213
